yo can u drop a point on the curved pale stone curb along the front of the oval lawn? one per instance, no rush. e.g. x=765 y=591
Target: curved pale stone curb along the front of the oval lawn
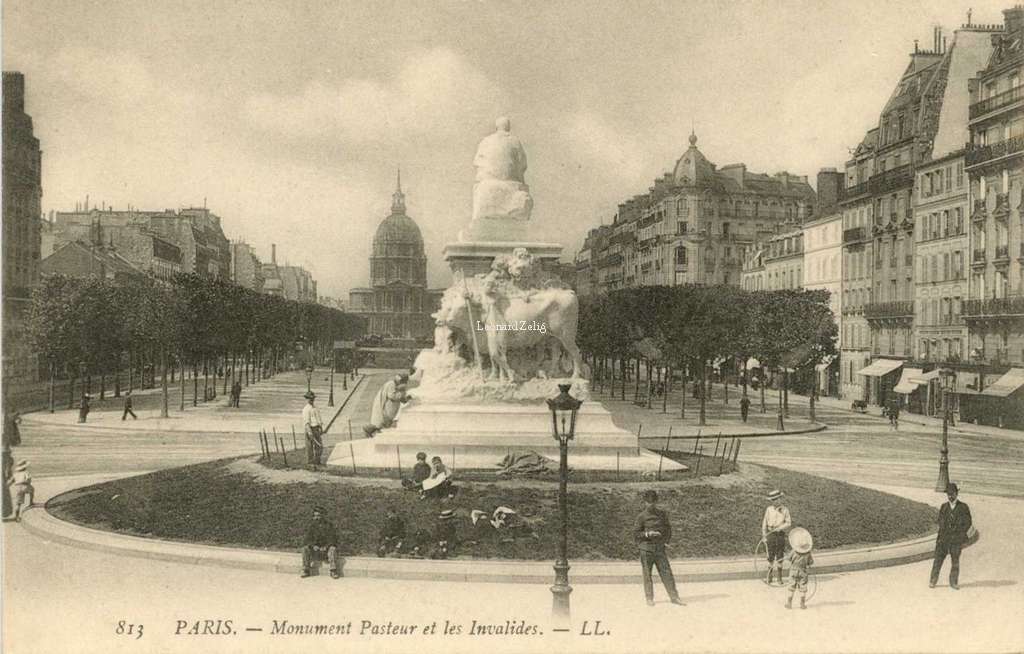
x=47 y=527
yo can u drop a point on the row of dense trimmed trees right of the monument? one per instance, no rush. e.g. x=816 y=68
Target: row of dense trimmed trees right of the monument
x=693 y=328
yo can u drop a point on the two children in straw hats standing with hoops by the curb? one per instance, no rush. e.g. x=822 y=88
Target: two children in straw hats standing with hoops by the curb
x=777 y=531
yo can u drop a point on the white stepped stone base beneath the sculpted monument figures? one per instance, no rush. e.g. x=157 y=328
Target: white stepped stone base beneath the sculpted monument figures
x=479 y=435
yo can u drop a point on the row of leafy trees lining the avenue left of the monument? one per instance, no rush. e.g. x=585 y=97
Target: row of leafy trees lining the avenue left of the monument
x=98 y=327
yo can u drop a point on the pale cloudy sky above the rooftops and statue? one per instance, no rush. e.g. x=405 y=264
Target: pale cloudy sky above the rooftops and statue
x=290 y=118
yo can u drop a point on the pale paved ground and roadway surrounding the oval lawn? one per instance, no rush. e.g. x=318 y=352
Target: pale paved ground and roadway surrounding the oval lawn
x=90 y=593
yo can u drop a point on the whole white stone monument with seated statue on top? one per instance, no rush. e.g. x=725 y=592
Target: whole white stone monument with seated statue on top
x=504 y=340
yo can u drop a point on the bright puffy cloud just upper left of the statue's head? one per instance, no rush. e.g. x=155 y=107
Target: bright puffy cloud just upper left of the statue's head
x=435 y=94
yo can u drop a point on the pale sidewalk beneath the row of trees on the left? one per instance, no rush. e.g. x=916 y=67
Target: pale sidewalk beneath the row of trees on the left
x=269 y=405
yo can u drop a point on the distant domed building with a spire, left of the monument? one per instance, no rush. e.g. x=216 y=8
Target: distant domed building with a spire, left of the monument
x=398 y=304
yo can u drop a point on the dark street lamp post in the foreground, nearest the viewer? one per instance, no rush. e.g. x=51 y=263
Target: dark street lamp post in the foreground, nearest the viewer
x=564 y=412
